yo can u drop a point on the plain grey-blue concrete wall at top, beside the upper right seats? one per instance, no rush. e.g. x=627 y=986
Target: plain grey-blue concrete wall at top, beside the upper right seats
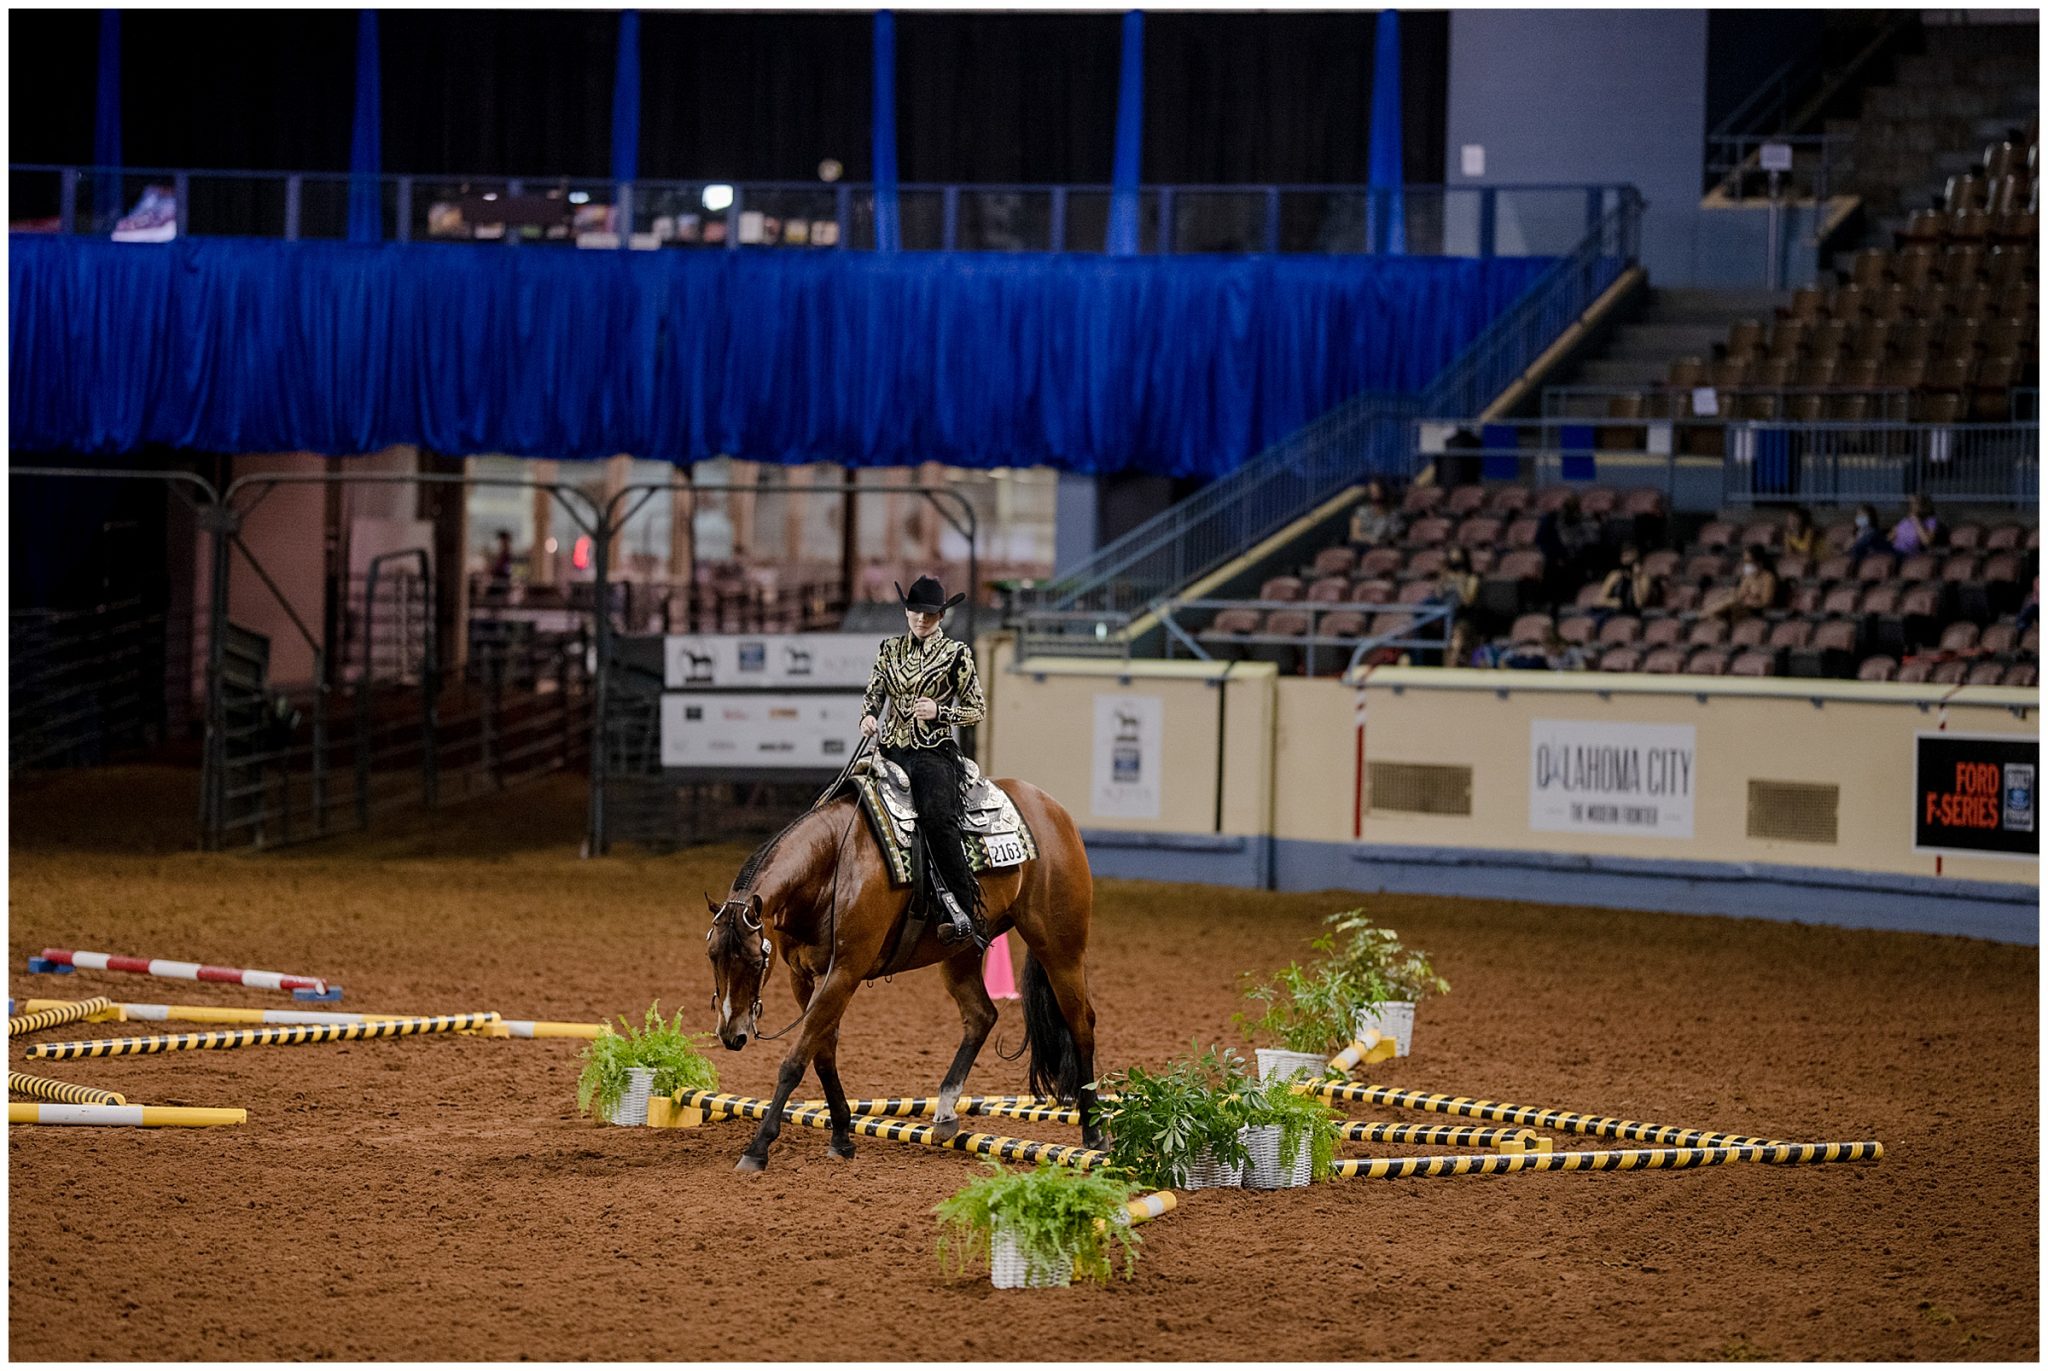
x=1586 y=97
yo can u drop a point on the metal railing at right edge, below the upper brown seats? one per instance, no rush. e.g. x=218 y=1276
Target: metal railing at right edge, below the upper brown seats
x=1850 y=464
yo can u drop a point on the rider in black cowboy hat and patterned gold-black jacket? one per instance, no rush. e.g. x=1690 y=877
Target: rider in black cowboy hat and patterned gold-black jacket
x=933 y=683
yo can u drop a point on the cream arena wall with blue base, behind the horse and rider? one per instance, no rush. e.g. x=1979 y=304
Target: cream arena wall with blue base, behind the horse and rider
x=1801 y=794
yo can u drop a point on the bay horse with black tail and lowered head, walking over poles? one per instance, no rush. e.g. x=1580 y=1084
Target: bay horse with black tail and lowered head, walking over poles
x=818 y=899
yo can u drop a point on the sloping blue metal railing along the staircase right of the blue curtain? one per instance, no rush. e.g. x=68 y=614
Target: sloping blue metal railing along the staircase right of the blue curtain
x=1361 y=438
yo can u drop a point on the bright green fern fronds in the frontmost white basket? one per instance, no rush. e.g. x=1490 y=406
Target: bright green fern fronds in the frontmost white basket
x=1056 y=1216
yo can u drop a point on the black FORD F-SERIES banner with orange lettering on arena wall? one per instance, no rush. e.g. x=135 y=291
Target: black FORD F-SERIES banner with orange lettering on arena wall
x=1975 y=794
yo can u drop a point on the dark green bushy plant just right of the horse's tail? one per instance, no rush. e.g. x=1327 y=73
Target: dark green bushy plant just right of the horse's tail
x=1160 y=1124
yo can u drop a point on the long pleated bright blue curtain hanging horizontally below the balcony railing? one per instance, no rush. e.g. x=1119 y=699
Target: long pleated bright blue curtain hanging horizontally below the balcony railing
x=1179 y=366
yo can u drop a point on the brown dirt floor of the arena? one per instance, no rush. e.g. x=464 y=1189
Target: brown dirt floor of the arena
x=441 y=1200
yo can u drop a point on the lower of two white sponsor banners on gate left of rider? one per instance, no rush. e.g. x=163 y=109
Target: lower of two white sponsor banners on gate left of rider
x=759 y=731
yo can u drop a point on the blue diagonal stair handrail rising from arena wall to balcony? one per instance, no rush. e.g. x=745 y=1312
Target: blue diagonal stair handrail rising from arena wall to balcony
x=1500 y=354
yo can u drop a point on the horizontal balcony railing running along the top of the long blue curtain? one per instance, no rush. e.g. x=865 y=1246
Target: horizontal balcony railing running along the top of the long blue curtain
x=1529 y=220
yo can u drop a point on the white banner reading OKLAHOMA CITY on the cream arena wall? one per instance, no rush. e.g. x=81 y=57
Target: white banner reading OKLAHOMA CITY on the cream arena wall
x=1631 y=780
